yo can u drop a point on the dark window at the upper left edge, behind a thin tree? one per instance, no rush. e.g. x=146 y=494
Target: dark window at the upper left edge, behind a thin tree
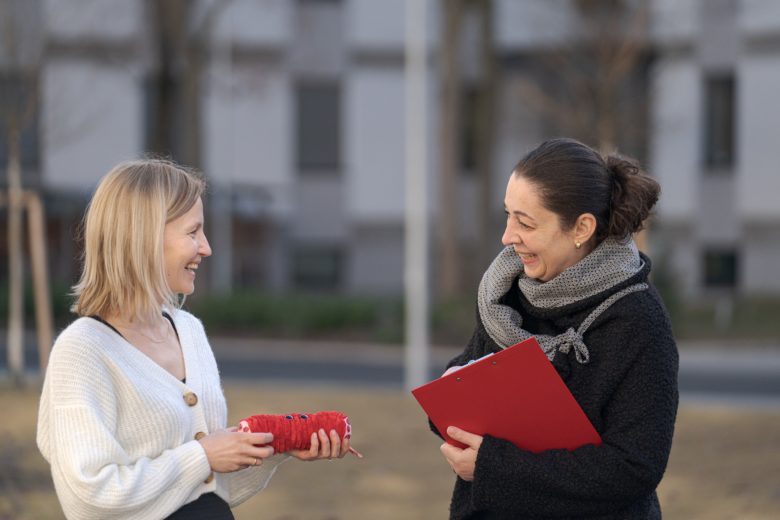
x=19 y=108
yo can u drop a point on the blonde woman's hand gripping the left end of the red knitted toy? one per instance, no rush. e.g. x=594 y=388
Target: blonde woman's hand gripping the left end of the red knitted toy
x=231 y=450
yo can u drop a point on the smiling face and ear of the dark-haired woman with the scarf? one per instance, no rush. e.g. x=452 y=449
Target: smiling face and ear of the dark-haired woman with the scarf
x=536 y=235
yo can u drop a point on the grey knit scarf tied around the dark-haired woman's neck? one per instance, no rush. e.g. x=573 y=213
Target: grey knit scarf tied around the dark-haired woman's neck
x=611 y=263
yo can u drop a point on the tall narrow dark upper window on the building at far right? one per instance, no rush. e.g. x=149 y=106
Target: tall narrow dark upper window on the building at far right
x=719 y=125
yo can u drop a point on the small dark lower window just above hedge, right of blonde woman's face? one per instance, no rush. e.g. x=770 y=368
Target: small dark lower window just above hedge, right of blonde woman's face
x=317 y=267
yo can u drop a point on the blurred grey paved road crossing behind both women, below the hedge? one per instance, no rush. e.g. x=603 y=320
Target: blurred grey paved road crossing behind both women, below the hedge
x=709 y=373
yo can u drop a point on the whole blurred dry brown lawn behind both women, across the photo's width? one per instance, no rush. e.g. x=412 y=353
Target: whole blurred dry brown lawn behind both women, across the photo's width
x=725 y=463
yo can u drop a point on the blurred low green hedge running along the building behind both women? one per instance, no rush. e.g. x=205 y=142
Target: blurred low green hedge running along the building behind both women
x=381 y=319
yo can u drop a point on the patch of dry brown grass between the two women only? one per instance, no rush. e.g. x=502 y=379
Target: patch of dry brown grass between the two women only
x=401 y=476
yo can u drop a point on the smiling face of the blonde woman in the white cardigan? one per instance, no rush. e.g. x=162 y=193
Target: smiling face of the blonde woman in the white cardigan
x=185 y=245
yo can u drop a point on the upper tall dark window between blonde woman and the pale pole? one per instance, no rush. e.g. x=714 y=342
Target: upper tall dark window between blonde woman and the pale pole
x=319 y=126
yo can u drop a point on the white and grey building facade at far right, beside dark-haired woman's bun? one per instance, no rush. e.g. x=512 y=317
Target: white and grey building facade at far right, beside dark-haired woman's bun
x=714 y=129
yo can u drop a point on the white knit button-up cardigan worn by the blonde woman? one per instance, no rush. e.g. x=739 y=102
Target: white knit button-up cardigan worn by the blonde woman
x=118 y=430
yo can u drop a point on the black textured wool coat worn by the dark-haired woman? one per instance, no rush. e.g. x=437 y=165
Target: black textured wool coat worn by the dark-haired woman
x=628 y=390
